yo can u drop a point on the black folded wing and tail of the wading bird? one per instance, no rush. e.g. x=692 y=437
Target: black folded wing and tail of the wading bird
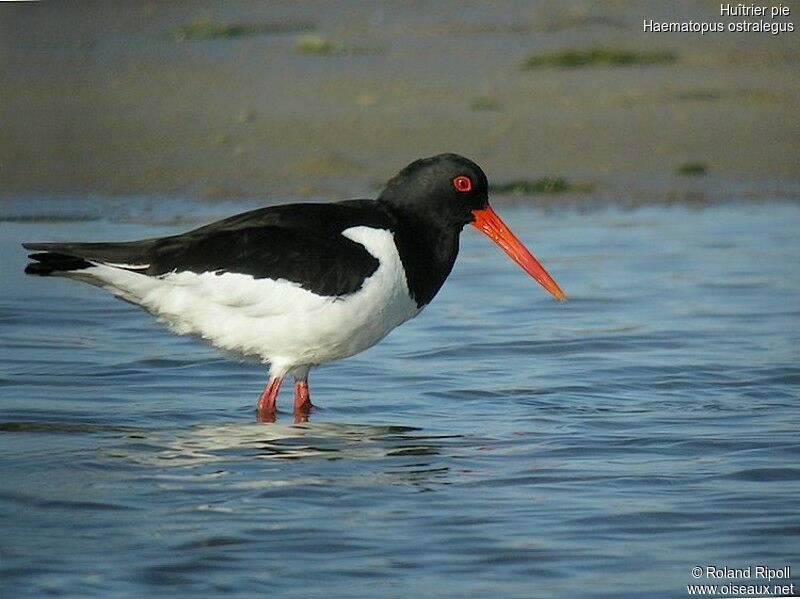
x=302 y=243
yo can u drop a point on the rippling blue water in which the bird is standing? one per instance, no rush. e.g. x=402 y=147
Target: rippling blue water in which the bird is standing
x=499 y=445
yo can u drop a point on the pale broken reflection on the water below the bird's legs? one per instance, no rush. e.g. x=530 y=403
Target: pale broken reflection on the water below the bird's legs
x=227 y=456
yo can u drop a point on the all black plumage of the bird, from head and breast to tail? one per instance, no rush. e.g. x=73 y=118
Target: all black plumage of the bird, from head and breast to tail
x=303 y=243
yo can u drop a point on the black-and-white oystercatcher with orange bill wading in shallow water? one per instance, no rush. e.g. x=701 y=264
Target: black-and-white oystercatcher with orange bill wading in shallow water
x=299 y=285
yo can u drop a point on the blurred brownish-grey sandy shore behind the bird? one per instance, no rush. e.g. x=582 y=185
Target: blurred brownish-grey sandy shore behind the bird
x=100 y=97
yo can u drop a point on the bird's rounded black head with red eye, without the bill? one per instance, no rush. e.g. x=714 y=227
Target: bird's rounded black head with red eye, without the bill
x=445 y=188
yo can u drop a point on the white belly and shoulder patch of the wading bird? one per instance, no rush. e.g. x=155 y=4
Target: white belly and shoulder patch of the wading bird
x=276 y=320
